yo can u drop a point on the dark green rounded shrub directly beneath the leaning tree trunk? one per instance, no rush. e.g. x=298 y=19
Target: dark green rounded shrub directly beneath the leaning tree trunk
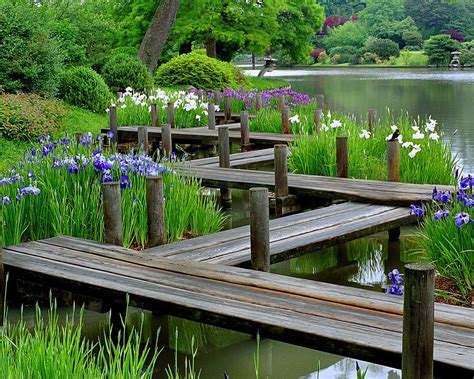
x=122 y=71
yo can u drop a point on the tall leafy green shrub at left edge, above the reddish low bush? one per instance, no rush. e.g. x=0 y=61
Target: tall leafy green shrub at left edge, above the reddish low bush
x=30 y=58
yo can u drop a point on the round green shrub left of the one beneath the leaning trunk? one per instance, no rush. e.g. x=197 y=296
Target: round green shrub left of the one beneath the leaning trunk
x=85 y=88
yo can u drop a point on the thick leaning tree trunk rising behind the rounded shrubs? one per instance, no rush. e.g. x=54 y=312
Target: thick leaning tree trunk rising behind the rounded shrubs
x=157 y=33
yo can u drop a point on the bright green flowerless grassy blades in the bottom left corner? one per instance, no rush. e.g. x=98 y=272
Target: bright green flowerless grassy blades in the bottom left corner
x=57 y=350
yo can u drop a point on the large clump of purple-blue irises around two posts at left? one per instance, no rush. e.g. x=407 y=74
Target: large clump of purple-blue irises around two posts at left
x=56 y=190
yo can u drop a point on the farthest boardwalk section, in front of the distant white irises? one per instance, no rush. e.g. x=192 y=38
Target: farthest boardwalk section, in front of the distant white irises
x=201 y=136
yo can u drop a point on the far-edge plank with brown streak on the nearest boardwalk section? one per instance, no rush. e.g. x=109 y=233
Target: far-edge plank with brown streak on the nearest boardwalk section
x=325 y=291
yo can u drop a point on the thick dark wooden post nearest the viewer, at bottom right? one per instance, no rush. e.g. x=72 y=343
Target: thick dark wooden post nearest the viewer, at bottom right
x=418 y=322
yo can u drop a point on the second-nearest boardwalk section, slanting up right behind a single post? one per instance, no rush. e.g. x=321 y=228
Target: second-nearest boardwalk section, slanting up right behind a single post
x=290 y=235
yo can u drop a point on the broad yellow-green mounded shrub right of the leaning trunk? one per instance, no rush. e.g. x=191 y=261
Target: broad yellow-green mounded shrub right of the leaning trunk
x=198 y=70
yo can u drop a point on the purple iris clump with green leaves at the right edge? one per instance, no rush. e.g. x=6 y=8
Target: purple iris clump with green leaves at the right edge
x=447 y=233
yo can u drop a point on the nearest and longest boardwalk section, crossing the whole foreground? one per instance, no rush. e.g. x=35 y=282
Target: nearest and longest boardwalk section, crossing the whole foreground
x=347 y=321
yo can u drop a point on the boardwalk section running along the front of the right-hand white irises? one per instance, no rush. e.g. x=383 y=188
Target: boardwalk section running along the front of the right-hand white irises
x=370 y=191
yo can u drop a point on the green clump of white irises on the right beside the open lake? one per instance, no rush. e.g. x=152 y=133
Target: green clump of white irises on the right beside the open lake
x=424 y=158
